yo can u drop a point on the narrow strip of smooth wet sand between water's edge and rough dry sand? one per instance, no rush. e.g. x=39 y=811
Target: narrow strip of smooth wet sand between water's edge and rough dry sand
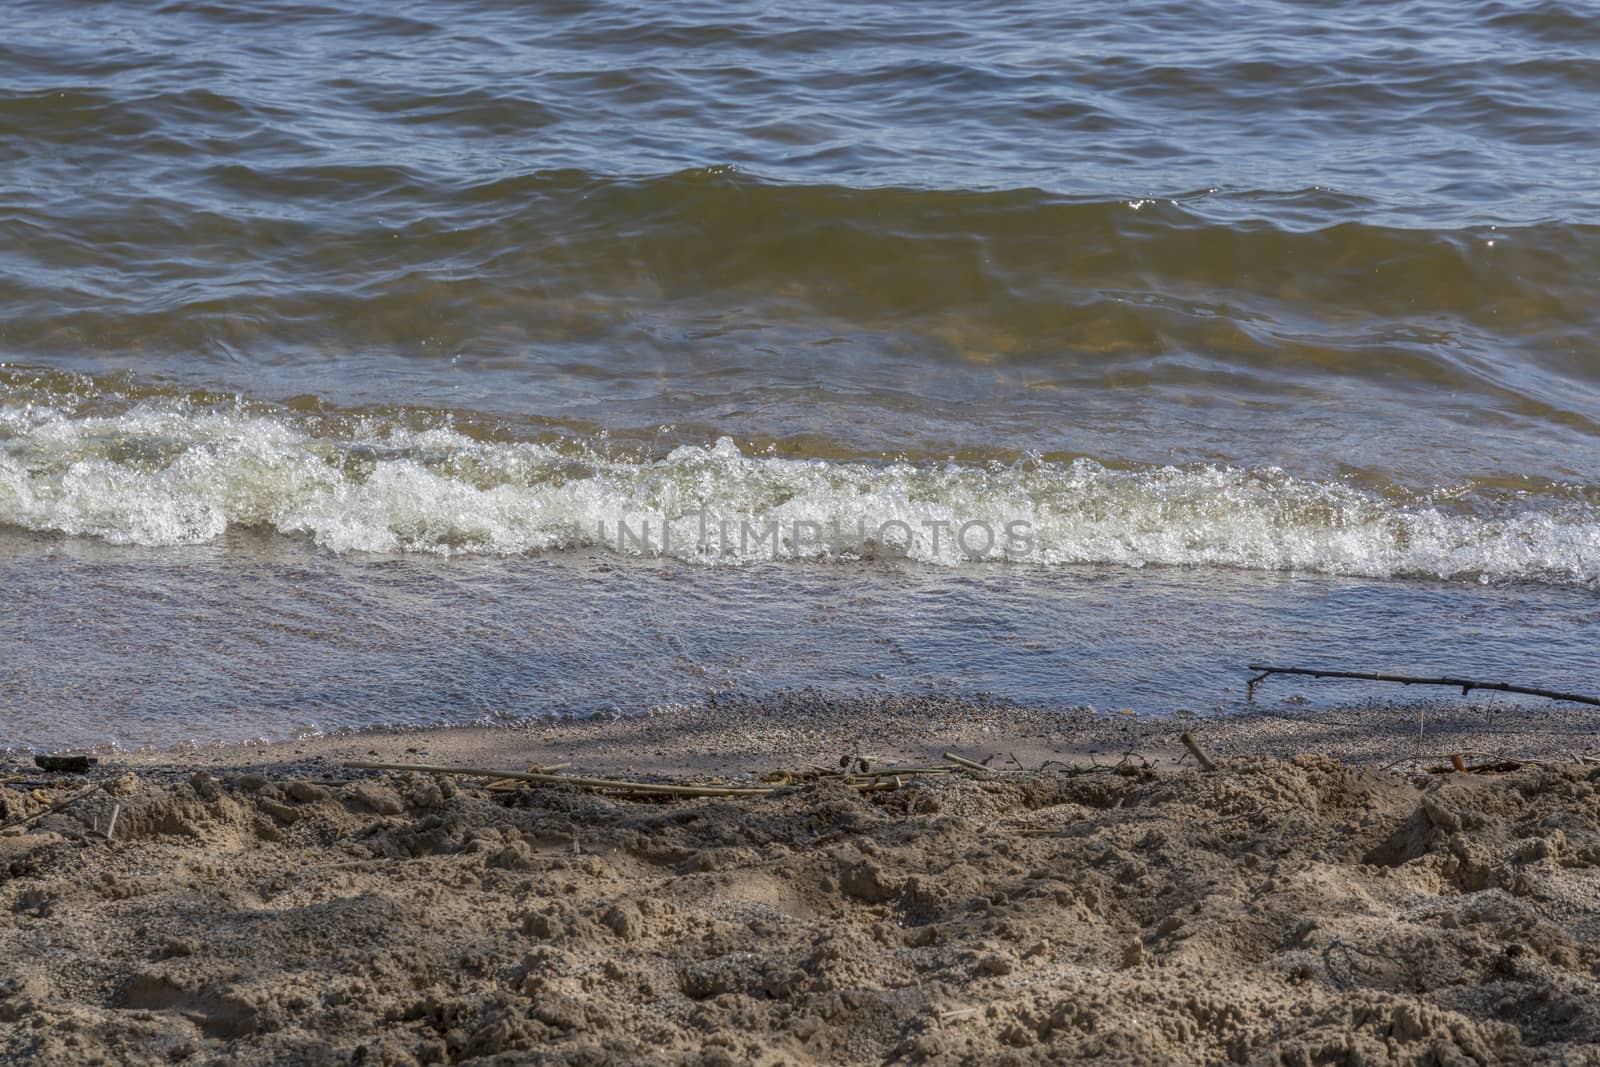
x=735 y=737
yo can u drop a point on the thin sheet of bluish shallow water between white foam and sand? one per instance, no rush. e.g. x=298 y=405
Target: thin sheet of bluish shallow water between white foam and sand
x=263 y=637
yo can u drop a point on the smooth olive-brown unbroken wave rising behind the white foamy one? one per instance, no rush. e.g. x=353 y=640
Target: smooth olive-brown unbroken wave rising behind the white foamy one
x=862 y=254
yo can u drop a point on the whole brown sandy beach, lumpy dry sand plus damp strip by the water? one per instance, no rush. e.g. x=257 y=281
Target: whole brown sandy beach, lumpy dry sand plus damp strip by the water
x=1302 y=905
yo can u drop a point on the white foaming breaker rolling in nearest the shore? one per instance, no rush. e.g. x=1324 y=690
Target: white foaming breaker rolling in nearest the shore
x=166 y=474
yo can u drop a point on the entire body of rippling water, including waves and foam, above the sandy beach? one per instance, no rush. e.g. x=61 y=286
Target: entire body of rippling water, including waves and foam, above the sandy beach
x=353 y=340
